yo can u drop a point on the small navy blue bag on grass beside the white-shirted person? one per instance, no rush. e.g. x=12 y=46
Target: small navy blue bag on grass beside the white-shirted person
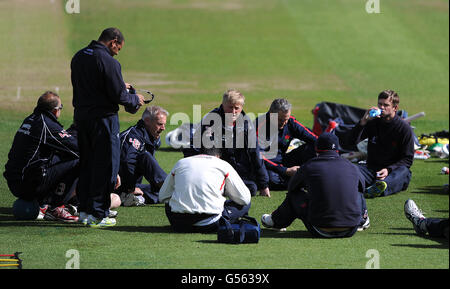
x=246 y=230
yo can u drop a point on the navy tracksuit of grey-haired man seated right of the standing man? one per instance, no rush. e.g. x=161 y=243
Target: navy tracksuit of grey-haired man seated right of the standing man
x=137 y=160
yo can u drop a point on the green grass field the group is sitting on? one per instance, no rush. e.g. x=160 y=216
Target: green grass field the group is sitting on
x=189 y=52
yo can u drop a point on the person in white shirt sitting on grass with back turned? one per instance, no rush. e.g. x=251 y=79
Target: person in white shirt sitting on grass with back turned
x=194 y=193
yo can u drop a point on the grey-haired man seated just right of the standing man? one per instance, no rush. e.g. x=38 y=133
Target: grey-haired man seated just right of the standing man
x=137 y=158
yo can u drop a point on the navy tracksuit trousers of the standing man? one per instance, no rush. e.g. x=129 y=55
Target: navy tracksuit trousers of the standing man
x=98 y=141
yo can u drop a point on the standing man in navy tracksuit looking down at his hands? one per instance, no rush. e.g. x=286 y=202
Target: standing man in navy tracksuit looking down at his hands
x=98 y=90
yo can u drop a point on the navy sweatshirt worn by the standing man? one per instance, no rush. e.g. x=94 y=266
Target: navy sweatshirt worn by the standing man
x=98 y=86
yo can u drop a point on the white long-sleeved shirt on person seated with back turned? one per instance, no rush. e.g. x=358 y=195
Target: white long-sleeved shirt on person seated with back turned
x=199 y=184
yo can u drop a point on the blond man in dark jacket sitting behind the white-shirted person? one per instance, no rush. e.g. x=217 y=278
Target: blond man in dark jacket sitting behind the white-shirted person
x=228 y=128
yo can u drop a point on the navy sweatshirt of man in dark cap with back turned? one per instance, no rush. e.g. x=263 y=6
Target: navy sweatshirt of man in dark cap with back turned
x=333 y=184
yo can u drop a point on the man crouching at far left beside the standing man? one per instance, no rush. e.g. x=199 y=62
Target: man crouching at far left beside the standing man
x=43 y=160
